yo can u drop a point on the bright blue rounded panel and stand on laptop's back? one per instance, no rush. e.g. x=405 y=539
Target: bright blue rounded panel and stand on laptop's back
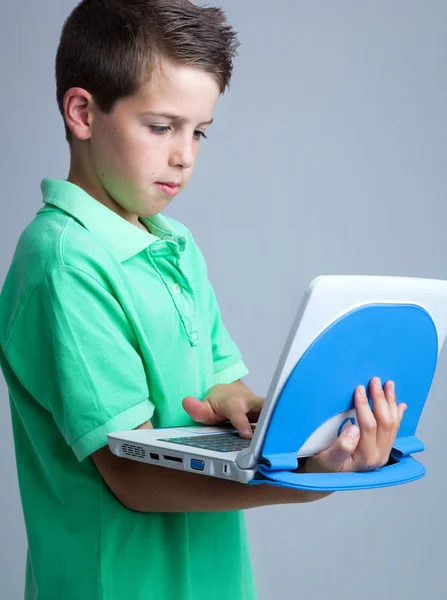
x=391 y=341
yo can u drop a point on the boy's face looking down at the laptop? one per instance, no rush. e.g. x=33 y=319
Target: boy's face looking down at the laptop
x=131 y=149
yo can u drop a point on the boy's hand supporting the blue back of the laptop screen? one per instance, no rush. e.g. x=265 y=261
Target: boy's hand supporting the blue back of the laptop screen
x=369 y=447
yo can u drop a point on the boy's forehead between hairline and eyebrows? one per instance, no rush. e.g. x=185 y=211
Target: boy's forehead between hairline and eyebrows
x=181 y=90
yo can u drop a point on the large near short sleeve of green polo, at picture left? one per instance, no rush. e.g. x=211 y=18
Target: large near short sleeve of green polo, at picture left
x=75 y=351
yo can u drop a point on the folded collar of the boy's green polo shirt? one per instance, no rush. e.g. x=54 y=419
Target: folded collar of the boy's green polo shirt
x=123 y=239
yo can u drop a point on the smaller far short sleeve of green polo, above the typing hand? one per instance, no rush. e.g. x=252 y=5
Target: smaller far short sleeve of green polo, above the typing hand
x=227 y=359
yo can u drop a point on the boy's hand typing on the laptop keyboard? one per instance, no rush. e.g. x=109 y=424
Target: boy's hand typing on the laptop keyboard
x=226 y=402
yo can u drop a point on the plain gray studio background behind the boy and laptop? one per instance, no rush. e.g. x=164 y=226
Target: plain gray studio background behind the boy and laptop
x=327 y=156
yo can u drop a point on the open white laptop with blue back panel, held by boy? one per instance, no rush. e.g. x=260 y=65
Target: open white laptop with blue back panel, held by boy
x=348 y=329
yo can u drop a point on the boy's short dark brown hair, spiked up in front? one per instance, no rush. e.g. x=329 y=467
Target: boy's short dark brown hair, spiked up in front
x=109 y=47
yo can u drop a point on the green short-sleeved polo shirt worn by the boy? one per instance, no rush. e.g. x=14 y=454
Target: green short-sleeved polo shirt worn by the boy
x=102 y=327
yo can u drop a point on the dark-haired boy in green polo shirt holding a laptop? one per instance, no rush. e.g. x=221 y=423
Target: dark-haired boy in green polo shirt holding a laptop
x=108 y=322
